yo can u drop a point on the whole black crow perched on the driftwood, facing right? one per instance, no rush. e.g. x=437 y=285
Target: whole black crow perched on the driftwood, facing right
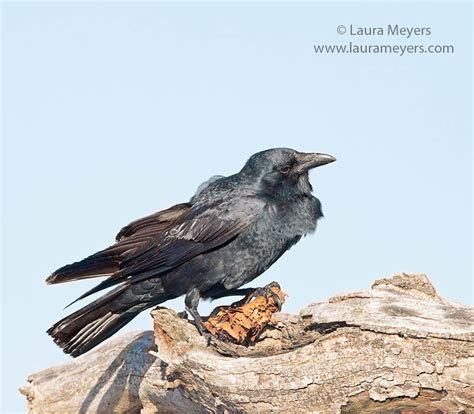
x=231 y=231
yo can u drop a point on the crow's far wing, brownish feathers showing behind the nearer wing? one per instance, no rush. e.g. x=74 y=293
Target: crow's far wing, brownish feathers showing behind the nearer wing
x=130 y=239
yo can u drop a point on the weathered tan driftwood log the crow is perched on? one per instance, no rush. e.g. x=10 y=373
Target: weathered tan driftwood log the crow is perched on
x=398 y=347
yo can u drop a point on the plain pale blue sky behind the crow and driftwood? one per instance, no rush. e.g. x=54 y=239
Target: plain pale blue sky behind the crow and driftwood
x=113 y=111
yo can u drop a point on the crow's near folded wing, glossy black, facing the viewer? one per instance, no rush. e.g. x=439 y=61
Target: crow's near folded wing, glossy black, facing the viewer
x=199 y=230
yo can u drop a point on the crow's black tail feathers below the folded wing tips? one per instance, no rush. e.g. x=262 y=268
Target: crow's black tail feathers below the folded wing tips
x=94 y=323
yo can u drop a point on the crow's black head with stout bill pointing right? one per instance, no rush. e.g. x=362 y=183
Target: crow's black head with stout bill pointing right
x=283 y=171
